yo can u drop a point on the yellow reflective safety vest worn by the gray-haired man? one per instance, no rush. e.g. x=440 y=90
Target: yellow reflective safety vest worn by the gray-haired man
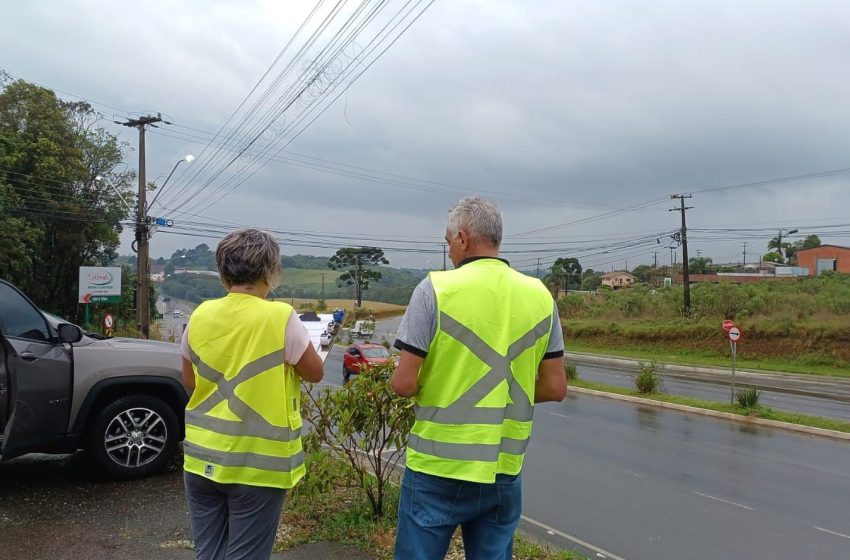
x=476 y=385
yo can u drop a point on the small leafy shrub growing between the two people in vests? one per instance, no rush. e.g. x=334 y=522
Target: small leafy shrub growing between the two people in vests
x=365 y=422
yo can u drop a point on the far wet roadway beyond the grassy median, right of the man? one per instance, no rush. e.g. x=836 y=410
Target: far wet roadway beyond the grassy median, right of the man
x=817 y=406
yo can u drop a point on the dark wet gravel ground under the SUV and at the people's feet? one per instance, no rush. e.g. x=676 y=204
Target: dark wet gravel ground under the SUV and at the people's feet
x=59 y=507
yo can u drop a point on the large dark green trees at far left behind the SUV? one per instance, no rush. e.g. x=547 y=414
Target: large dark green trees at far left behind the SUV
x=57 y=209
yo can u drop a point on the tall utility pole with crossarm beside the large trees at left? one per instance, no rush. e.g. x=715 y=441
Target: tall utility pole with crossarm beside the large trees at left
x=143 y=316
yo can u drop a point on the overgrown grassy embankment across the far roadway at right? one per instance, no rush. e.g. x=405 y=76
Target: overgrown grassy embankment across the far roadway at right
x=798 y=326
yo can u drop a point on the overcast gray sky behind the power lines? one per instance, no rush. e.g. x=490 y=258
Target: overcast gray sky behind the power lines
x=561 y=111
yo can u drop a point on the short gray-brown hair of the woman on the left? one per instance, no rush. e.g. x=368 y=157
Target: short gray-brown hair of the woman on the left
x=248 y=256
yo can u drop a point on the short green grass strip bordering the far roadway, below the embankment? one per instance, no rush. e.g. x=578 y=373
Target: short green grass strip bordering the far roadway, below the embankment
x=708 y=358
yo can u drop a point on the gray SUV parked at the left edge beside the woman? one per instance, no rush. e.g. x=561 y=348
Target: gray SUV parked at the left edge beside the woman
x=62 y=389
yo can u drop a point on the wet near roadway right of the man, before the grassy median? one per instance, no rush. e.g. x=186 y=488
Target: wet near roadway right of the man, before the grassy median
x=643 y=482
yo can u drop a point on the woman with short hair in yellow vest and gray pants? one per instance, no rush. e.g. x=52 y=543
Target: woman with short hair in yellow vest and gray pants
x=243 y=360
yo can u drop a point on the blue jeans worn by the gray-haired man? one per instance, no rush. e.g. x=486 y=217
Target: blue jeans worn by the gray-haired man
x=431 y=508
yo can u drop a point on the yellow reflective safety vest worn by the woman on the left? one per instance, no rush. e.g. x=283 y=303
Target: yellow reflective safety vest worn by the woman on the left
x=243 y=422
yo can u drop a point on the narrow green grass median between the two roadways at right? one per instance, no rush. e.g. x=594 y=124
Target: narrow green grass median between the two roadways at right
x=757 y=412
